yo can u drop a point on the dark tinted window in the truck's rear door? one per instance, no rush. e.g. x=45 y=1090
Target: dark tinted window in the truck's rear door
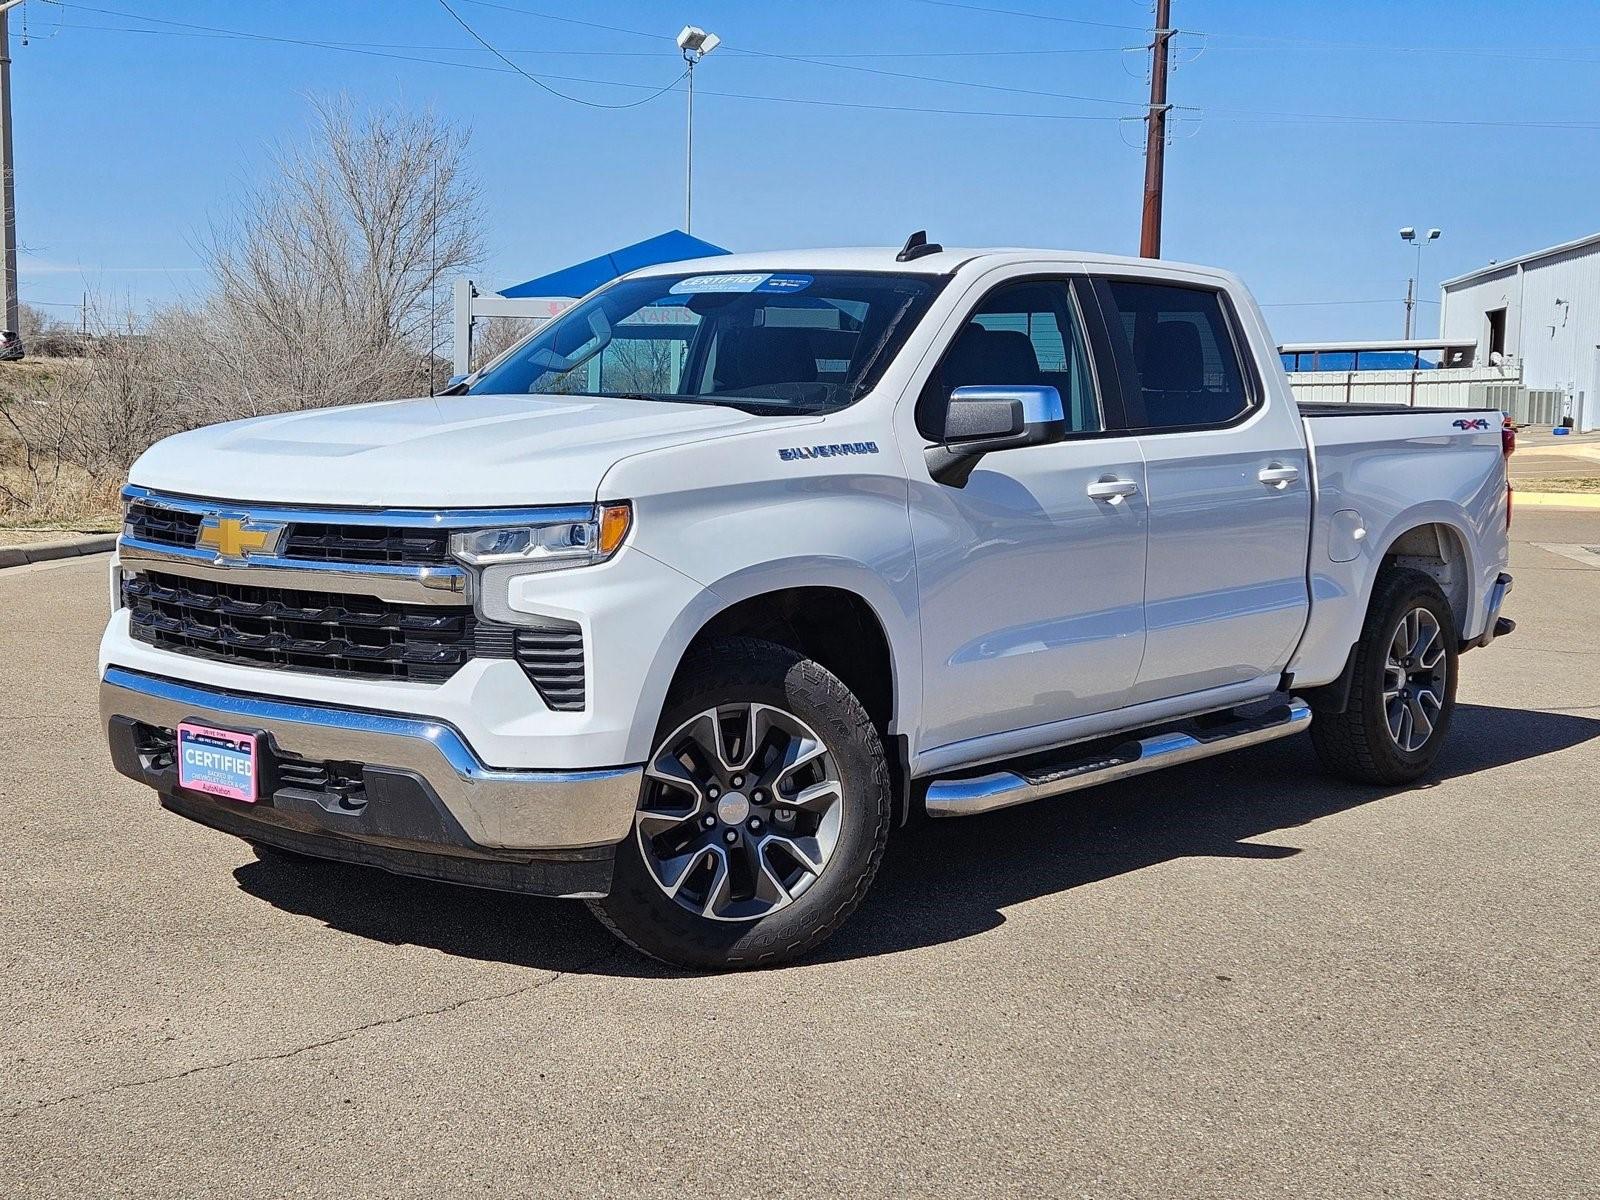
x=1188 y=370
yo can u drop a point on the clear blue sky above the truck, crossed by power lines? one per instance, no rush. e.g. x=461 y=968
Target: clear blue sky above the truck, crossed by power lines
x=129 y=145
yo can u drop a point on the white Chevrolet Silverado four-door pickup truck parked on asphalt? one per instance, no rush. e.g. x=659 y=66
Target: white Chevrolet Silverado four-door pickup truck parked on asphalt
x=690 y=599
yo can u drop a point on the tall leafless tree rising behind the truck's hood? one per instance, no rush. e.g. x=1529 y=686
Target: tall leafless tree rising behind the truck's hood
x=329 y=281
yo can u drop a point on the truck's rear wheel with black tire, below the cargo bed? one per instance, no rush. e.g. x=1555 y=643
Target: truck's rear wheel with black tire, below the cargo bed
x=1362 y=743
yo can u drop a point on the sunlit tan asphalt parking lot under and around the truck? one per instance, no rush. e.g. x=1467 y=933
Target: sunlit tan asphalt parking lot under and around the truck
x=1238 y=980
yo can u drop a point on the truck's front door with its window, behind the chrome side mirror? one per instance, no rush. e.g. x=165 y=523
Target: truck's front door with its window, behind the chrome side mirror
x=1031 y=577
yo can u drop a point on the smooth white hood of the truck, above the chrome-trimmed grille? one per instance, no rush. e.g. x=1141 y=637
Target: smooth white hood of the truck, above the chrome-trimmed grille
x=454 y=452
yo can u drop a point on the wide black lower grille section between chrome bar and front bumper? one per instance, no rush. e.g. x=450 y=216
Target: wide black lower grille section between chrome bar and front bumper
x=322 y=633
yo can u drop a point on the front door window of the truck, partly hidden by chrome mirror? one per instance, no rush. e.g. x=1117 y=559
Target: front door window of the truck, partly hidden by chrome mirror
x=1020 y=335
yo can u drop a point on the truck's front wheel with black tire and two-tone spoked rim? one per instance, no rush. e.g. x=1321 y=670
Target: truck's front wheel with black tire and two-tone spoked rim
x=721 y=873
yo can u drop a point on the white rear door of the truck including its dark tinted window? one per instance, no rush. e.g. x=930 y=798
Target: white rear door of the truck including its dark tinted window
x=1228 y=487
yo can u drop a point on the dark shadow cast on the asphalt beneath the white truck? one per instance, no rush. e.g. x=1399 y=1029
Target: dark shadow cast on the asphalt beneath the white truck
x=942 y=881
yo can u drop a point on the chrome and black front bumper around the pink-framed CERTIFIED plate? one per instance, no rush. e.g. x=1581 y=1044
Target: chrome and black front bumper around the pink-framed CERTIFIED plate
x=423 y=791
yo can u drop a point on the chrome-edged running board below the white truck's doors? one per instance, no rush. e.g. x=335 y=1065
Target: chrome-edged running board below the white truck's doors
x=1002 y=790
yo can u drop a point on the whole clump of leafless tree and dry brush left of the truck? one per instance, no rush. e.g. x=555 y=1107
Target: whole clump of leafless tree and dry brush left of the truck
x=326 y=292
